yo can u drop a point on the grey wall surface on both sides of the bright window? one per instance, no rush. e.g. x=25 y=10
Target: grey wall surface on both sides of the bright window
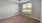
x=36 y=9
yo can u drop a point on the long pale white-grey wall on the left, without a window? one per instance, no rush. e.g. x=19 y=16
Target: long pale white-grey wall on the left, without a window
x=7 y=8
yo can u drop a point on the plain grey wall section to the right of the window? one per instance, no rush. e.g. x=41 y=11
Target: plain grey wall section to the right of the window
x=36 y=8
